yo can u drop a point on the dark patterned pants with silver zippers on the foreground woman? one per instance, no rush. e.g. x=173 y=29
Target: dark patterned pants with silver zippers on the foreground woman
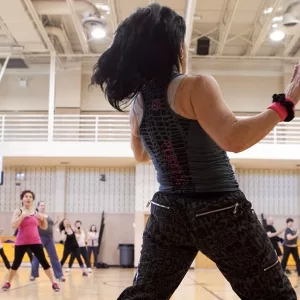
x=224 y=228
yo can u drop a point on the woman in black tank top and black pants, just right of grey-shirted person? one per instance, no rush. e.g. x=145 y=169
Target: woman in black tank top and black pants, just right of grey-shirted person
x=70 y=244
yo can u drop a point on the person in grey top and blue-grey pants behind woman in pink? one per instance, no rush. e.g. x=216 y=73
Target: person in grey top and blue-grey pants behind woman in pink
x=48 y=243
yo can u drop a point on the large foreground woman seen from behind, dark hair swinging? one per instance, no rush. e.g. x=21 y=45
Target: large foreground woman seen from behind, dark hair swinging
x=184 y=126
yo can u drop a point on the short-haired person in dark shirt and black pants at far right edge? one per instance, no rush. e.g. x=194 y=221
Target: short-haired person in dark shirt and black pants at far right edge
x=290 y=245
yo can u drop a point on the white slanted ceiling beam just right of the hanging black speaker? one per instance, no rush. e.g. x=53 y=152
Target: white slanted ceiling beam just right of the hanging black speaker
x=226 y=25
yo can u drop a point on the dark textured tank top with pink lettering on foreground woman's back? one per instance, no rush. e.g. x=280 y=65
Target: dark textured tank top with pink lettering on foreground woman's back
x=185 y=157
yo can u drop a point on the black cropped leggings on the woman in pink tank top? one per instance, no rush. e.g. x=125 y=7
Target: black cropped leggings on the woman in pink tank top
x=37 y=250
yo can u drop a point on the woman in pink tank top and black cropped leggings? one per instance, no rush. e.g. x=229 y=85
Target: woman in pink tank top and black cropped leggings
x=27 y=221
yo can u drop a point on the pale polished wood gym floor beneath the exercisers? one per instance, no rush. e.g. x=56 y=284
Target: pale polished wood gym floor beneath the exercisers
x=107 y=284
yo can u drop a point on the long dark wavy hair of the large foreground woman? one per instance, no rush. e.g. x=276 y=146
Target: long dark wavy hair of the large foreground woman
x=146 y=49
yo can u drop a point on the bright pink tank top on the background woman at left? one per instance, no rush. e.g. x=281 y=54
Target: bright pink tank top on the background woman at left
x=28 y=233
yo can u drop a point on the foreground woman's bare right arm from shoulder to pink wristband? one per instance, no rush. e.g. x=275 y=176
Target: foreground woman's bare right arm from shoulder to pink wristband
x=201 y=99
